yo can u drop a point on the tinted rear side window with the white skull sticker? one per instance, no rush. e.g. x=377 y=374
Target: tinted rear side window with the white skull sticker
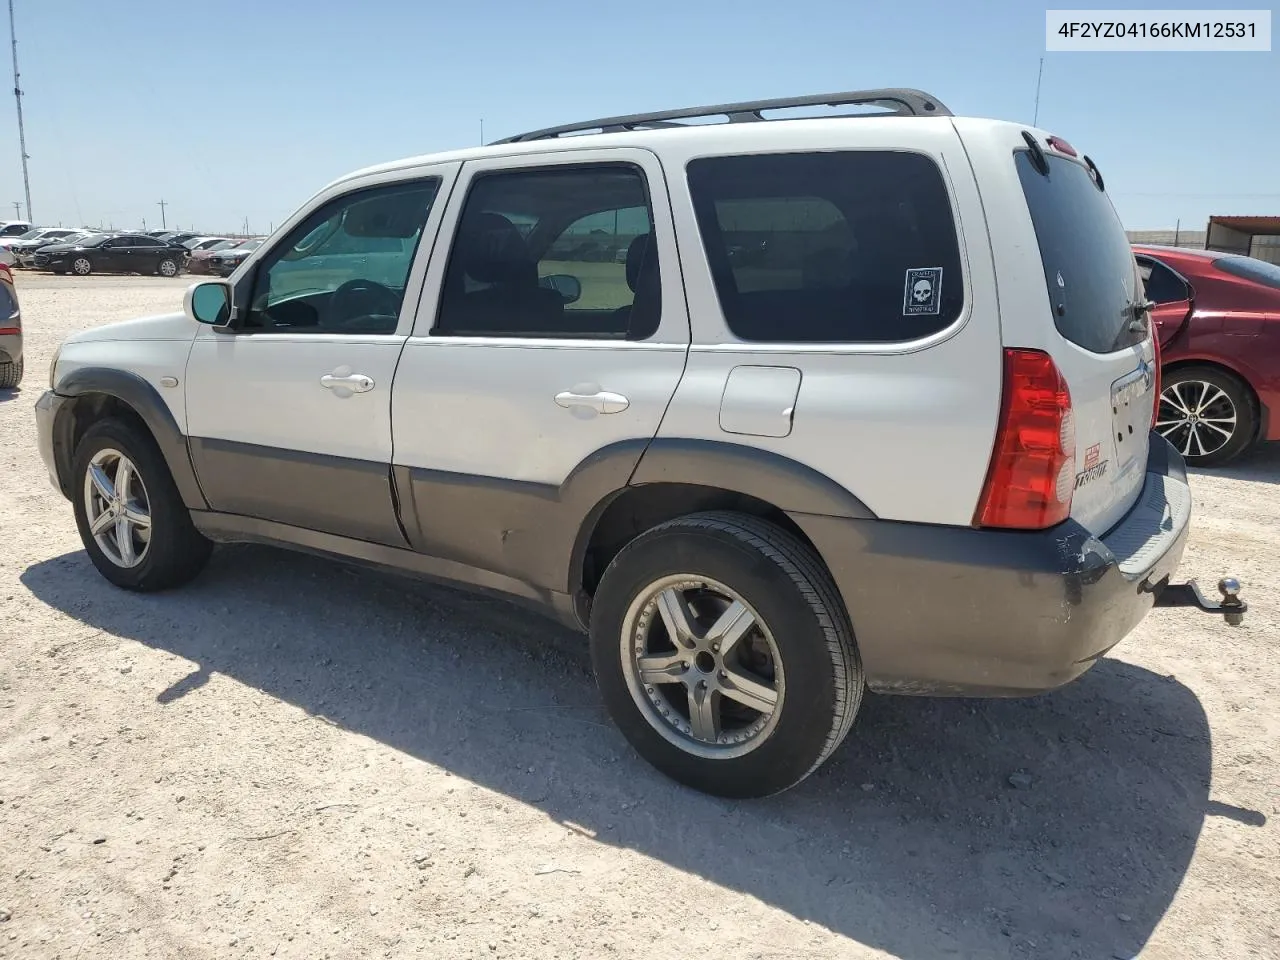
x=833 y=248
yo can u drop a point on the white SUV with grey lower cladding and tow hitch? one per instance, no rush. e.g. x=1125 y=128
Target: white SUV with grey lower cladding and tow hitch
x=867 y=404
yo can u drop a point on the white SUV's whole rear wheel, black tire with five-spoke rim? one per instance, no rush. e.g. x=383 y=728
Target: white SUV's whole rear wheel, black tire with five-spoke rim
x=799 y=648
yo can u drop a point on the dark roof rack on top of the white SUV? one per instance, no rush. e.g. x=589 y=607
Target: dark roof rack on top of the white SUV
x=900 y=102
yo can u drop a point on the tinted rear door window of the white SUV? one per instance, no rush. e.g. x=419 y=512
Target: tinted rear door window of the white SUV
x=555 y=253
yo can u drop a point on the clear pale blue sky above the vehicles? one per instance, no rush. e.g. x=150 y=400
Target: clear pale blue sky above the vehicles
x=232 y=109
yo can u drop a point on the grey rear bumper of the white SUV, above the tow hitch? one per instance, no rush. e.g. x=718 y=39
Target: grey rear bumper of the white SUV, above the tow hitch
x=958 y=611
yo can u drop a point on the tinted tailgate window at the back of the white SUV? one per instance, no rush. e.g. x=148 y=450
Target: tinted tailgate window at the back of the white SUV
x=1089 y=263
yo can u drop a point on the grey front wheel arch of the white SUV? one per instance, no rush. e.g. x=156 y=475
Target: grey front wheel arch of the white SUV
x=97 y=394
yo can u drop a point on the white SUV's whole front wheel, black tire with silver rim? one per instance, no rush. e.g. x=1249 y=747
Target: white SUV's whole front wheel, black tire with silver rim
x=172 y=551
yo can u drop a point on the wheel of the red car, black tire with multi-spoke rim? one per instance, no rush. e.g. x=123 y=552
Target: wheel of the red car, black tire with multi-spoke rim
x=1197 y=405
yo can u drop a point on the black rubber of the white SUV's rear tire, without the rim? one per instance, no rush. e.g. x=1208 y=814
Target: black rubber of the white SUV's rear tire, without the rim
x=798 y=742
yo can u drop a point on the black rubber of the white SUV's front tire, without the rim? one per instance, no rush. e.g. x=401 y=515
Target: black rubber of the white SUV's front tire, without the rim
x=175 y=543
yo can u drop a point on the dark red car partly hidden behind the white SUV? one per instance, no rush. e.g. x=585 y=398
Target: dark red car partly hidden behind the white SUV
x=1219 y=322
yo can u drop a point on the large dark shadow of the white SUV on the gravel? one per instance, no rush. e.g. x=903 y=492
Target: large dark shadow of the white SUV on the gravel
x=1058 y=826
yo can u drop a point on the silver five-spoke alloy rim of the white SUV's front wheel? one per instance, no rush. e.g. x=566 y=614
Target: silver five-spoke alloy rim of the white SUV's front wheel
x=117 y=509
